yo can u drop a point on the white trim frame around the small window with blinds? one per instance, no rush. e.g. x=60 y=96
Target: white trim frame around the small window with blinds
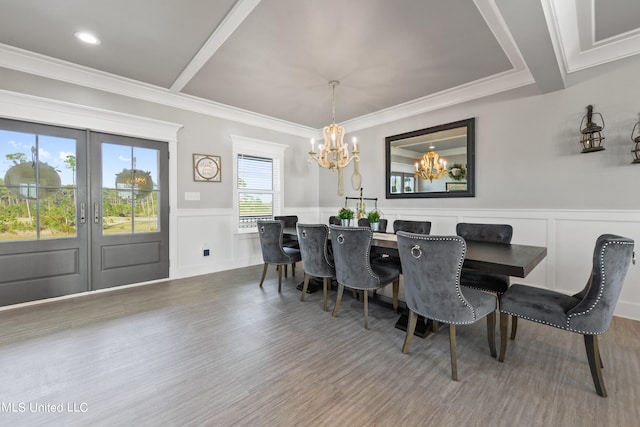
x=258 y=148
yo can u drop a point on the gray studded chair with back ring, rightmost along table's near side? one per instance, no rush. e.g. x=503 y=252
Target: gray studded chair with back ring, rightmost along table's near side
x=431 y=267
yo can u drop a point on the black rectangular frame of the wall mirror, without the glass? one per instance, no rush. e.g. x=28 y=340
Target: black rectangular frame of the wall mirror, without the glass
x=471 y=155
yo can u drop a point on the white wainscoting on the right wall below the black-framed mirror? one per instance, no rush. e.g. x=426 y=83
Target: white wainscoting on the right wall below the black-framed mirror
x=568 y=235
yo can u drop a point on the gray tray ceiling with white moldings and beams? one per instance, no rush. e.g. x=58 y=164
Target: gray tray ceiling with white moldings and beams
x=275 y=57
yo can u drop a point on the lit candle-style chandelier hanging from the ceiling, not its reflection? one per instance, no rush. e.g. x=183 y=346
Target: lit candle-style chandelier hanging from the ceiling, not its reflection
x=334 y=153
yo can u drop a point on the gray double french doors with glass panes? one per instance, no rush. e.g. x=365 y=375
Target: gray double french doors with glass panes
x=79 y=211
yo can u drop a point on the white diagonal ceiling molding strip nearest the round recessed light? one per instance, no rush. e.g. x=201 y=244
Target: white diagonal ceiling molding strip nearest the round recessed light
x=240 y=11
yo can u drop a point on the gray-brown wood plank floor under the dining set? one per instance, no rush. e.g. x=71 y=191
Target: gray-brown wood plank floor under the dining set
x=217 y=350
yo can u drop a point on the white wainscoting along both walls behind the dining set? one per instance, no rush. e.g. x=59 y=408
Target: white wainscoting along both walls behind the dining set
x=568 y=235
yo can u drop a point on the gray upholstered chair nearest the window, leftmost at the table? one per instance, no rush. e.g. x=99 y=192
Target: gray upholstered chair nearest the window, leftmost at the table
x=273 y=252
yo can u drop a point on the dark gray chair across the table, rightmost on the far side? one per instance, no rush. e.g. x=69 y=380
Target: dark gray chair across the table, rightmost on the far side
x=484 y=280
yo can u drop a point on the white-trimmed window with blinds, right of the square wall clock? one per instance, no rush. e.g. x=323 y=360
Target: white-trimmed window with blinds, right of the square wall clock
x=258 y=180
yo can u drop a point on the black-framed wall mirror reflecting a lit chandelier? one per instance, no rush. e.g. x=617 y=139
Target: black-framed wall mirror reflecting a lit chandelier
x=434 y=162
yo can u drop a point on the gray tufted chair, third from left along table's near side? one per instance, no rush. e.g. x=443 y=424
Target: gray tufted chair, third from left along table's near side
x=354 y=268
